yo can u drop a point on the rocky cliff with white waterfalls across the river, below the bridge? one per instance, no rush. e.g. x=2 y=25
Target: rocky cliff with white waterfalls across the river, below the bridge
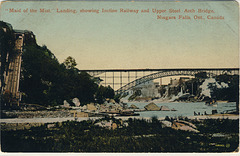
x=221 y=87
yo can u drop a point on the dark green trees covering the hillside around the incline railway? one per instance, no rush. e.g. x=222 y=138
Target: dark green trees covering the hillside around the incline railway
x=43 y=79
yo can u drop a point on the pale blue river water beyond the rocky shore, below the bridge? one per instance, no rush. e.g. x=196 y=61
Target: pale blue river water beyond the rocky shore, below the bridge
x=183 y=109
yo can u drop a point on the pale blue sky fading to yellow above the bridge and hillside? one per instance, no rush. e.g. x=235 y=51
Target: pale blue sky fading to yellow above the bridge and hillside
x=129 y=40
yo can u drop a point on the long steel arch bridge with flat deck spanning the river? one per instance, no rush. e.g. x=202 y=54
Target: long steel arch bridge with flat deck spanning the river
x=158 y=73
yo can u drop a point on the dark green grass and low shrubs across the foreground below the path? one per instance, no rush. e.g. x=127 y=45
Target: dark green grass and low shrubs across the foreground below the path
x=140 y=136
